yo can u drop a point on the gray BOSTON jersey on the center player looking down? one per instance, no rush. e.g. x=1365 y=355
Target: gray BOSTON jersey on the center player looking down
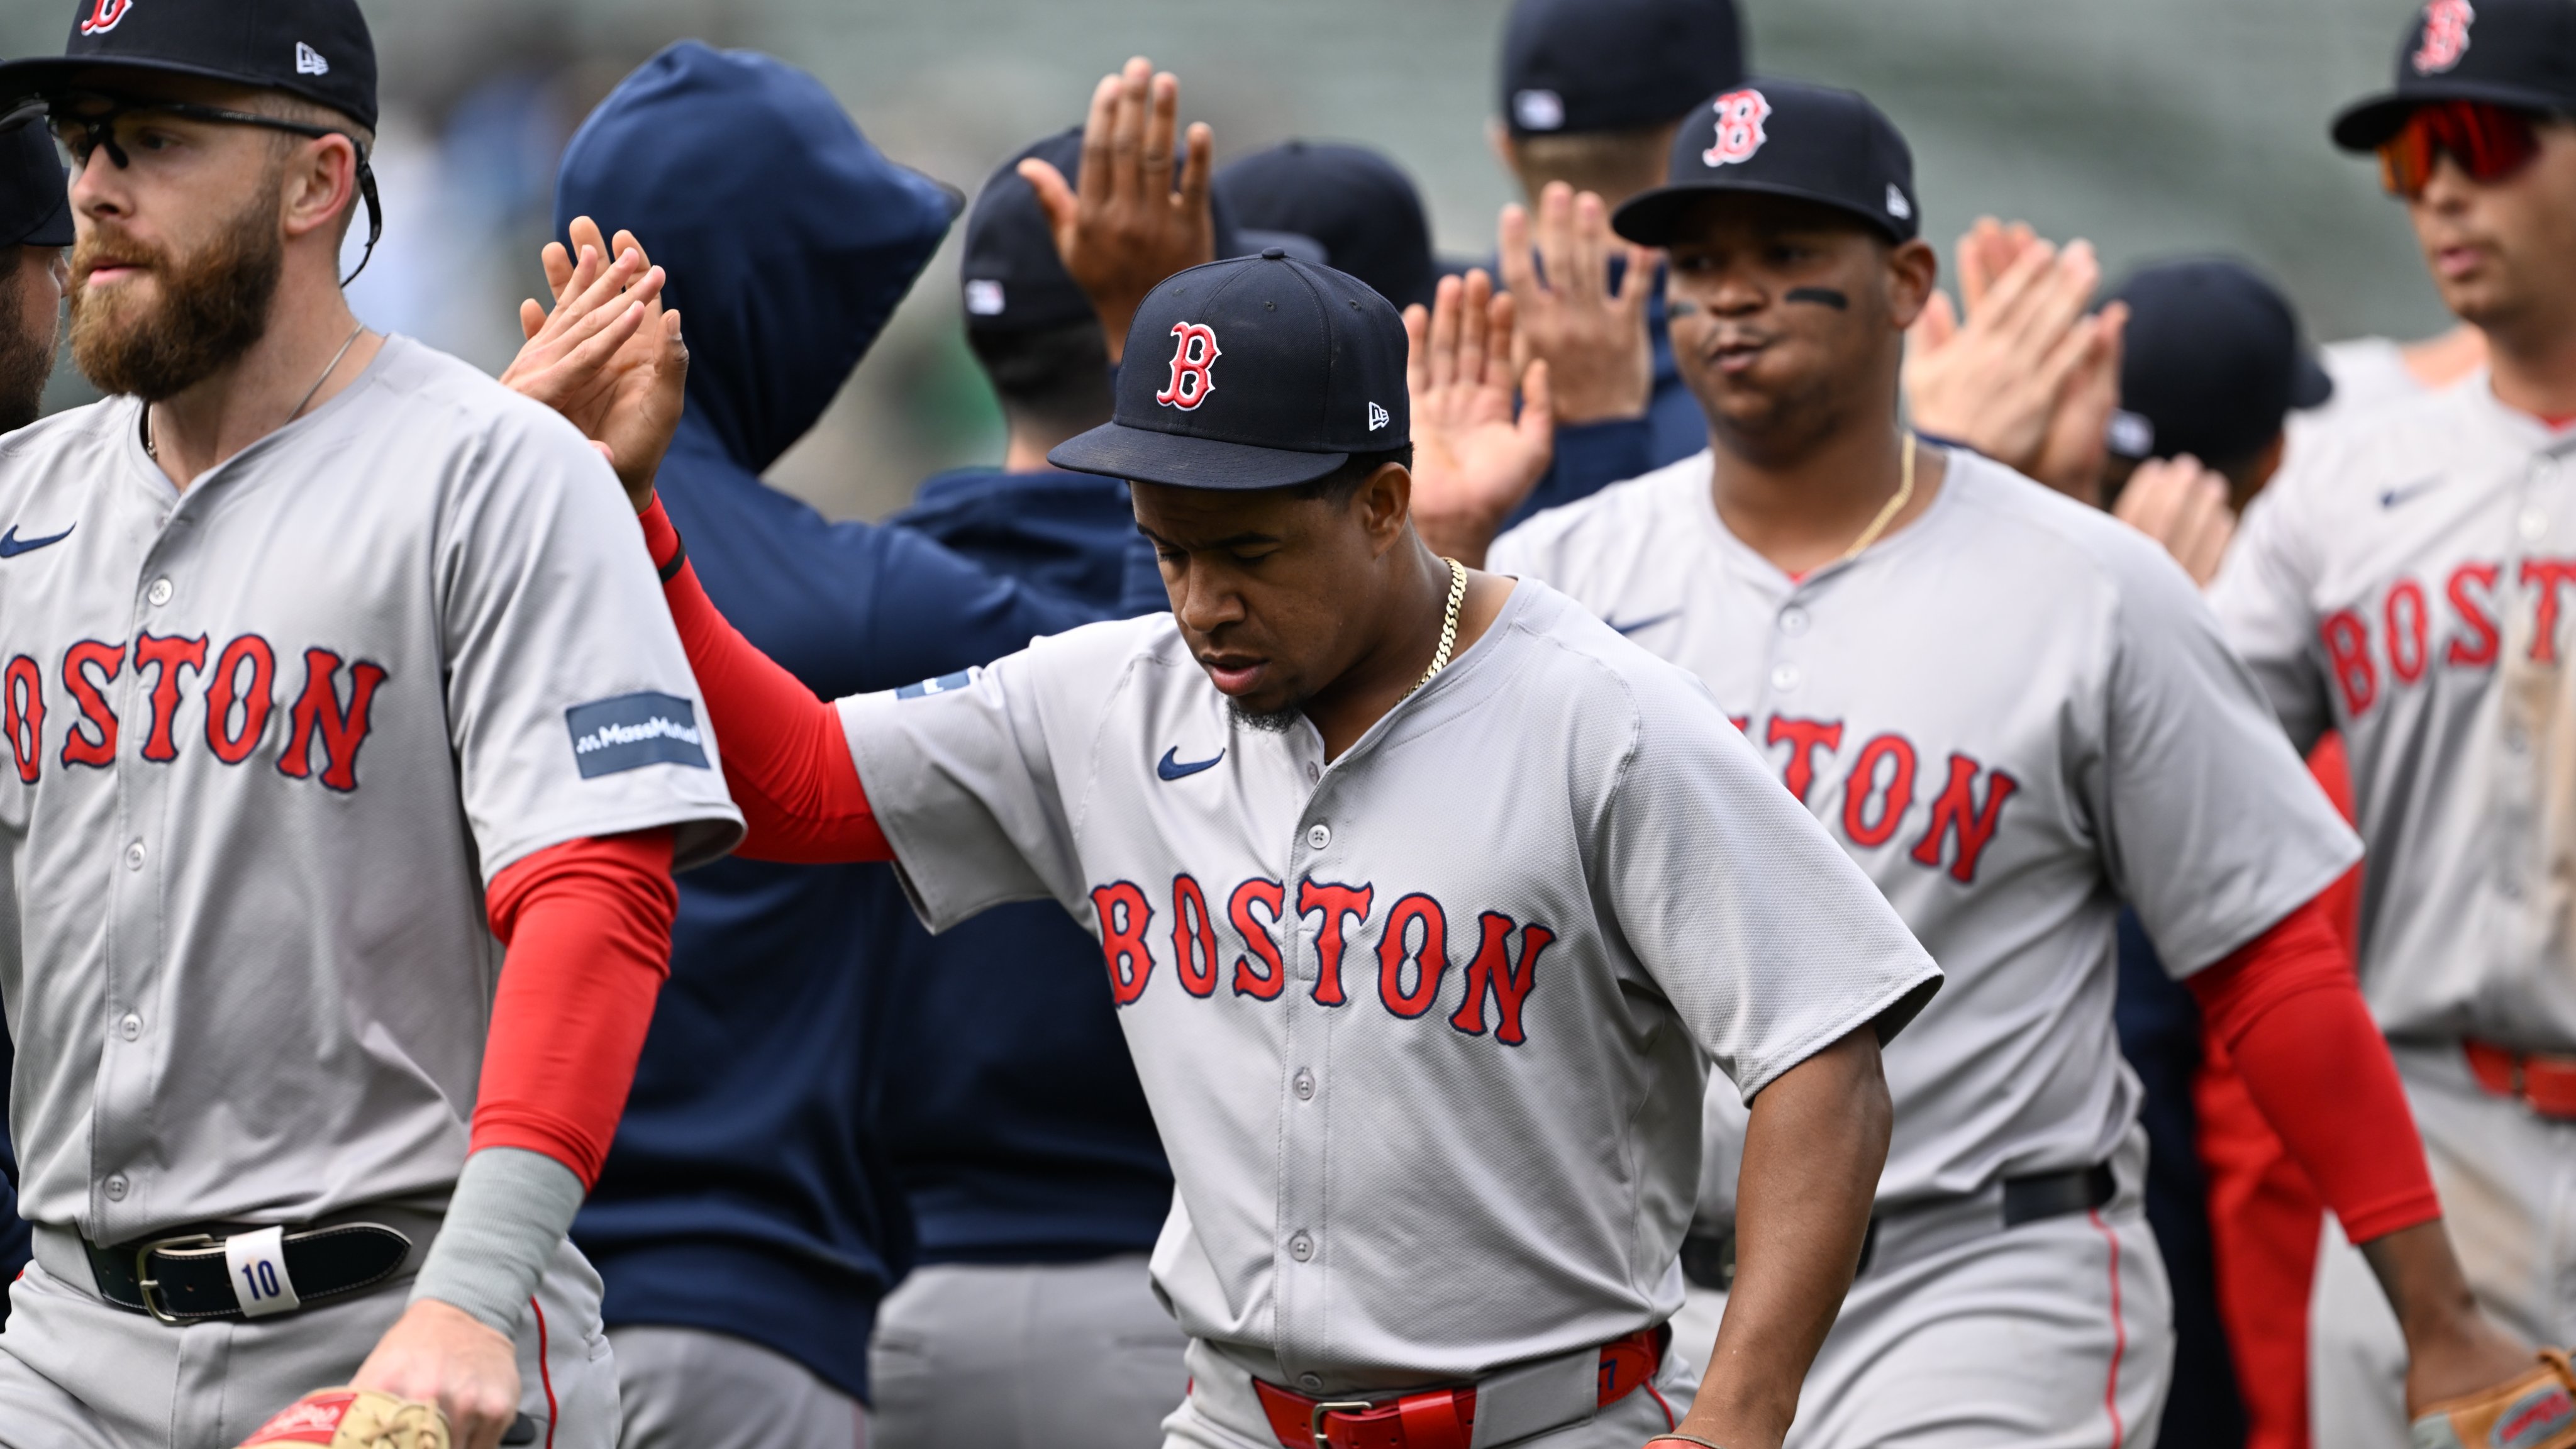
x=1423 y=1027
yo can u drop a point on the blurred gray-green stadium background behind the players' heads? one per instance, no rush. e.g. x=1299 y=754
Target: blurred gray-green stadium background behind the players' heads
x=2152 y=128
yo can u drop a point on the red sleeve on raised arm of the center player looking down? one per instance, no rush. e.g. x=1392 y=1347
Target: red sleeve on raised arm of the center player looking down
x=787 y=762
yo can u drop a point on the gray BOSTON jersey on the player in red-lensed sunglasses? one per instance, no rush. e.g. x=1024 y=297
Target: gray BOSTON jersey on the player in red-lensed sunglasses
x=2407 y=584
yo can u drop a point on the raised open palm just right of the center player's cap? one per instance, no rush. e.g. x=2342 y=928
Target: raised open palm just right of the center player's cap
x=1472 y=458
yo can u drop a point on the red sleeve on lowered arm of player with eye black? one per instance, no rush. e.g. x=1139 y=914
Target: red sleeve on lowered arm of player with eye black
x=2291 y=1017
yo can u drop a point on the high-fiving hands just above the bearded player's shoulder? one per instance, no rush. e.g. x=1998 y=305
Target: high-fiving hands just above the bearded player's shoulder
x=609 y=357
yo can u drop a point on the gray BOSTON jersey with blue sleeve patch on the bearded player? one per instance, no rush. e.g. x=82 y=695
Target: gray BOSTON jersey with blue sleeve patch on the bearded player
x=267 y=744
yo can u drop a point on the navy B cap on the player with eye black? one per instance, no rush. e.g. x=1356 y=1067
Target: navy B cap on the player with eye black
x=1784 y=138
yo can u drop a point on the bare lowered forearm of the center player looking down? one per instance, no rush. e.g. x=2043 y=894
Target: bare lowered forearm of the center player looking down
x=1812 y=1159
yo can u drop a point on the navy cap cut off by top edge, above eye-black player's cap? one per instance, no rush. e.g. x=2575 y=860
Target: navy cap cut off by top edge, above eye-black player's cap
x=1609 y=66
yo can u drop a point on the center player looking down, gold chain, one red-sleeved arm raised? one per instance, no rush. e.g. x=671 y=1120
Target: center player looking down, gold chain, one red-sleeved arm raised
x=1423 y=899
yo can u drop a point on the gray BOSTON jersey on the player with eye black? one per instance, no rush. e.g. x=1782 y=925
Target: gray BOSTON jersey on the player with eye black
x=2016 y=715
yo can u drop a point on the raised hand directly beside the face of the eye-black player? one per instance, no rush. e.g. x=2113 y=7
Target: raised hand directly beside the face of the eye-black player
x=1591 y=334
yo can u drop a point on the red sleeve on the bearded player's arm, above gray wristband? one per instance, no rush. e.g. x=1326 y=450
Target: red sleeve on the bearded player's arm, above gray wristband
x=589 y=935
